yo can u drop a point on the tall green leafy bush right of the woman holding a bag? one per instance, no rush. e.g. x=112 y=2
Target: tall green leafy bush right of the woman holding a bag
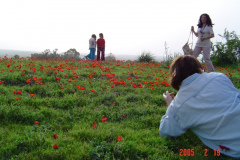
x=229 y=52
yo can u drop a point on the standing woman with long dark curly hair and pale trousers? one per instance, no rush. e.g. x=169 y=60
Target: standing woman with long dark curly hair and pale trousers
x=204 y=33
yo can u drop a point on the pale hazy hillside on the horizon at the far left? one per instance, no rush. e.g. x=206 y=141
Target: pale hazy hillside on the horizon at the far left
x=11 y=53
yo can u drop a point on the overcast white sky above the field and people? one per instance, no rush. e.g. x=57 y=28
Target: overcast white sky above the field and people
x=129 y=26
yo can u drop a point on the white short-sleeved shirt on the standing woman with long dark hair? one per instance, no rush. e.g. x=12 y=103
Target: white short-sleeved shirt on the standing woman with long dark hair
x=204 y=32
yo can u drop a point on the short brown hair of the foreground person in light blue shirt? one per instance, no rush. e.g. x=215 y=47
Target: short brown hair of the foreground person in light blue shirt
x=181 y=68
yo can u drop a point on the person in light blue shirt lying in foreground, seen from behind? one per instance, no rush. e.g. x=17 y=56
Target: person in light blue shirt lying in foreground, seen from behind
x=206 y=103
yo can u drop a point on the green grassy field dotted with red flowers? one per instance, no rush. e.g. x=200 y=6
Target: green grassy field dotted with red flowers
x=90 y=110
